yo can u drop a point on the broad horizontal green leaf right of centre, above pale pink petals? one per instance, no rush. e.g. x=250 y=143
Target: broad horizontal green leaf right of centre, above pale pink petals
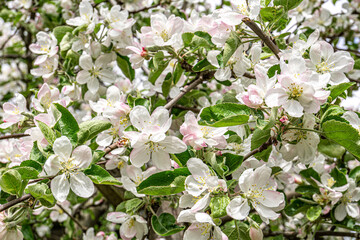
x=224 y=115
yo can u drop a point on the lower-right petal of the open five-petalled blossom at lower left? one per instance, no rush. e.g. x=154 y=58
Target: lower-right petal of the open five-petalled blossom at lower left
x=81 y=185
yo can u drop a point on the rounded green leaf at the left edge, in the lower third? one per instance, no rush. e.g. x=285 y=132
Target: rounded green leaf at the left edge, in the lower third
x=10 y=181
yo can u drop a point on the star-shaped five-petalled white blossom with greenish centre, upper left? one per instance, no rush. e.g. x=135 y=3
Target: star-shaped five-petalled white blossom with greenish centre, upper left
x=93 y=71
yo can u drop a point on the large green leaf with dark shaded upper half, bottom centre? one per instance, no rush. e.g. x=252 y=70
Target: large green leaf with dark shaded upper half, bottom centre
x=164 y=183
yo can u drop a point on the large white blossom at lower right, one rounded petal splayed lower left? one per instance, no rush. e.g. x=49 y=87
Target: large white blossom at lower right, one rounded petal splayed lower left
x=258 y=188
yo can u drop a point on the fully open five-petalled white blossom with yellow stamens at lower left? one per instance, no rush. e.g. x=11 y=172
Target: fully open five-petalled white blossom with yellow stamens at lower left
x=69 y=163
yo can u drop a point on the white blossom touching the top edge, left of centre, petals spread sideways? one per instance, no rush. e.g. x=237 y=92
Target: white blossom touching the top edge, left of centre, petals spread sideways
x=88 y=16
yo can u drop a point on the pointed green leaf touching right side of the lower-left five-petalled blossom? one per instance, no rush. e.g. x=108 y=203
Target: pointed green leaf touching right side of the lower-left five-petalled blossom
x=100 y=176
